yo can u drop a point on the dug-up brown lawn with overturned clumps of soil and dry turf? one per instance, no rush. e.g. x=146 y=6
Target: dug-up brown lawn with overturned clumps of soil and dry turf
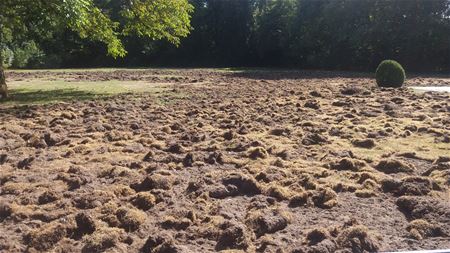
x=228 y=161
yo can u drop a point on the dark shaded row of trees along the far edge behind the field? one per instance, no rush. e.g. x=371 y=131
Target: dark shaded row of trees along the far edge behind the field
x=325 y=34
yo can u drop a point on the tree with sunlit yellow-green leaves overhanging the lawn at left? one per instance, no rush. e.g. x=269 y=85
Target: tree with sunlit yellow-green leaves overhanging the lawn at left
x=22 y=20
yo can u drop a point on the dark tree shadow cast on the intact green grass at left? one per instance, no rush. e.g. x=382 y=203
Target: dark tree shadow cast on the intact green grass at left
x=24 y=96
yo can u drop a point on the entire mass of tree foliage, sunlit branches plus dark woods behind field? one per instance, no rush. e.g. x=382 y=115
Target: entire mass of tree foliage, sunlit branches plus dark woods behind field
x=317 y=34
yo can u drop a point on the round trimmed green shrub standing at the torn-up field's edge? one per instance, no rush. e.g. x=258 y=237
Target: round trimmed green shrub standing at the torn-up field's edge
x=390 y=74
